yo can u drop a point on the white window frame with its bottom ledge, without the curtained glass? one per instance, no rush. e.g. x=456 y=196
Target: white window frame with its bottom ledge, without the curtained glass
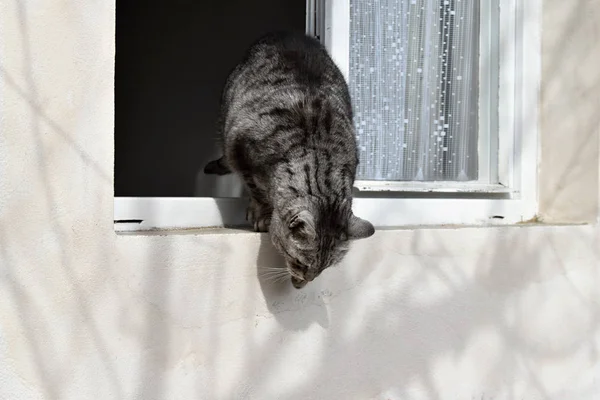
x=512 y=200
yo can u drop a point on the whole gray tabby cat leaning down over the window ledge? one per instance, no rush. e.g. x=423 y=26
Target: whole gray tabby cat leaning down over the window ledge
x=286 y=125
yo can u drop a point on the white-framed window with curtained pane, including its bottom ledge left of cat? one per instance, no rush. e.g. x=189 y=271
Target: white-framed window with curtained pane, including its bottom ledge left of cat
x=445 y=95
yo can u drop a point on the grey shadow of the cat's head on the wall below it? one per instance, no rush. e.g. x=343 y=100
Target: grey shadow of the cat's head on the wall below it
x=294 y=309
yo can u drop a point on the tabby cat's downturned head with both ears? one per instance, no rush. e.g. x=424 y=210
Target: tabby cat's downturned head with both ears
x=314 y=235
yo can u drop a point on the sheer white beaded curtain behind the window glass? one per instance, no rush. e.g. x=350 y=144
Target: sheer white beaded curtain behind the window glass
x=414 y=85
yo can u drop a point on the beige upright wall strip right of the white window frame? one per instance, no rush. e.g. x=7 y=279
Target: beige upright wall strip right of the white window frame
x=570 y=103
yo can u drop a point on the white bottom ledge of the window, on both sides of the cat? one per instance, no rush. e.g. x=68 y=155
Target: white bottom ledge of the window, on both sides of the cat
x=148 y=213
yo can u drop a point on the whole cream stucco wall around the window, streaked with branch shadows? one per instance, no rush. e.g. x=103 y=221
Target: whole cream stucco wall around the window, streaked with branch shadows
x=502 y=313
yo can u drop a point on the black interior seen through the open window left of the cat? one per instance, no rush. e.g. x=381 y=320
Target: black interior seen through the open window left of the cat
x=172 y=60
